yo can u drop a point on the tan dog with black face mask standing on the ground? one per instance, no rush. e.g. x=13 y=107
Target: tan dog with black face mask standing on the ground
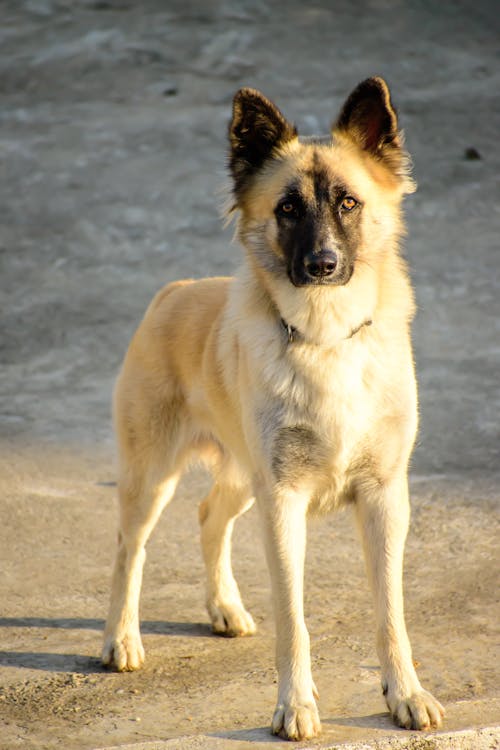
x=294 y=382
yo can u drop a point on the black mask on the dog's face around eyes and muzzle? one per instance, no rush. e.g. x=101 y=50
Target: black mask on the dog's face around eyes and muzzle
x=319 y=234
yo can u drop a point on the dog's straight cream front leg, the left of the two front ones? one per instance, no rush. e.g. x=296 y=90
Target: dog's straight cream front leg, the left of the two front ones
x=283 y=516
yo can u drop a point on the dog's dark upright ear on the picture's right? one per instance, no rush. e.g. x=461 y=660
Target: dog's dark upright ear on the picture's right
x=369 y=118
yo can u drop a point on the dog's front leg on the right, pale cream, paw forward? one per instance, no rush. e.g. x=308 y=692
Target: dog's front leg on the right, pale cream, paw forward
x=383 y=515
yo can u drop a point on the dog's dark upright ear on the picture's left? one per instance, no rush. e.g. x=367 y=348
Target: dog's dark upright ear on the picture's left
x=256 y=130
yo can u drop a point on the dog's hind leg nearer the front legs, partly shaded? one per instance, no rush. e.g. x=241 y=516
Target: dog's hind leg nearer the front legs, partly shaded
x=217 y=514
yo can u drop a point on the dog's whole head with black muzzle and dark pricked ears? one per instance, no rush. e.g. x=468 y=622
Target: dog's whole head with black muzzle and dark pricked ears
x=312 y=208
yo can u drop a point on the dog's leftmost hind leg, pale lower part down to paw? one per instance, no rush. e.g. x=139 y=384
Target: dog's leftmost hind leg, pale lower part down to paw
x=142 y=500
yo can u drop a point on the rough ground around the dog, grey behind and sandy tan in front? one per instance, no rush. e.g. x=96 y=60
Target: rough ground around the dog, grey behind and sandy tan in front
x=113 y=152
